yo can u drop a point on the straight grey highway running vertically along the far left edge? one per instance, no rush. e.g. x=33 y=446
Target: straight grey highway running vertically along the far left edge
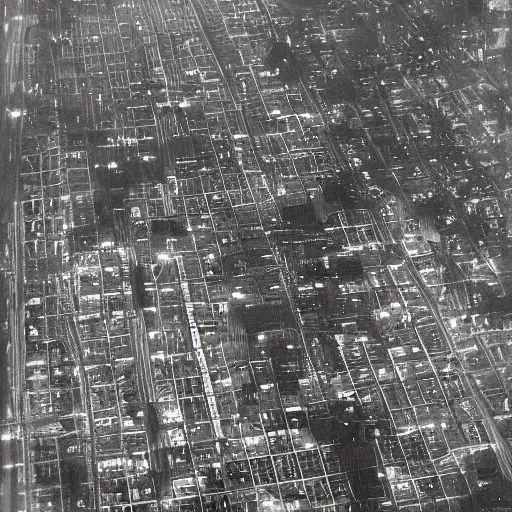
x=12 y=451
